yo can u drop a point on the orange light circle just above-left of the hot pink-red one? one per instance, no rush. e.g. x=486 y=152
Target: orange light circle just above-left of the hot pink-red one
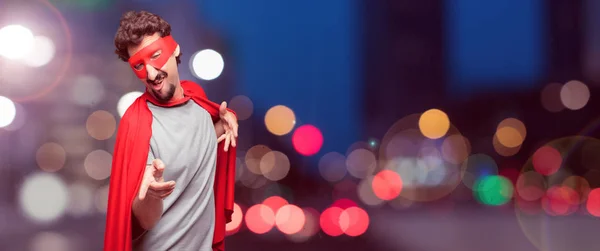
x=280 y=120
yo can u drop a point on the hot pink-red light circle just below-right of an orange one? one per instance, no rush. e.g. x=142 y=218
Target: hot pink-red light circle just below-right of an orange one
x=307 y=140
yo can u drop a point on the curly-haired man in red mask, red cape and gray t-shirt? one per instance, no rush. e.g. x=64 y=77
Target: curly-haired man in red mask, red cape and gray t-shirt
x=171 y=185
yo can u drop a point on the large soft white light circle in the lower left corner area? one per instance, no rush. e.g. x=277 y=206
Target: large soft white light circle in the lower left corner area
x=43 y=197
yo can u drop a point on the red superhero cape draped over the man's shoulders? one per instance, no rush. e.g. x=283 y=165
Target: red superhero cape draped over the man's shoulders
x=129 y=161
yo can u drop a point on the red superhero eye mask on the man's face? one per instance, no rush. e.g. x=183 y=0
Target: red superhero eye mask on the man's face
x=139 y=60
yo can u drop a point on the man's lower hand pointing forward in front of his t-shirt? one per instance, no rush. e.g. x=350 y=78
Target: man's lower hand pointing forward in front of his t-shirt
x=153 y=184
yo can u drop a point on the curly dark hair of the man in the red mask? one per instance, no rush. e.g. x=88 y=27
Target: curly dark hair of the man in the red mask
x=134 y=26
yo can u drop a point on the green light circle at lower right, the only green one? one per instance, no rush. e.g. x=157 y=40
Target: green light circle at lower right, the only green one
x=493 y=190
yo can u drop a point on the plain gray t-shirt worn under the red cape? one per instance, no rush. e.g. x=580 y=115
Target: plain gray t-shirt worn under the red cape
x=184 y=138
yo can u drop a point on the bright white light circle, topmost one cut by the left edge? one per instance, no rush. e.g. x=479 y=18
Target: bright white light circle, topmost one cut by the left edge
x=16 y=41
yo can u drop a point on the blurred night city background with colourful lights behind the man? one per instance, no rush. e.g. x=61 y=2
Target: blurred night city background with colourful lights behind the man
x=433 y=125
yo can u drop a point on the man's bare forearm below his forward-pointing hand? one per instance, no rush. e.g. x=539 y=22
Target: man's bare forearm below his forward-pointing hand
x=148 y=211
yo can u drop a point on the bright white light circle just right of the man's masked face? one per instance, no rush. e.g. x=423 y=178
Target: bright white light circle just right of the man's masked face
x=207 y=64
